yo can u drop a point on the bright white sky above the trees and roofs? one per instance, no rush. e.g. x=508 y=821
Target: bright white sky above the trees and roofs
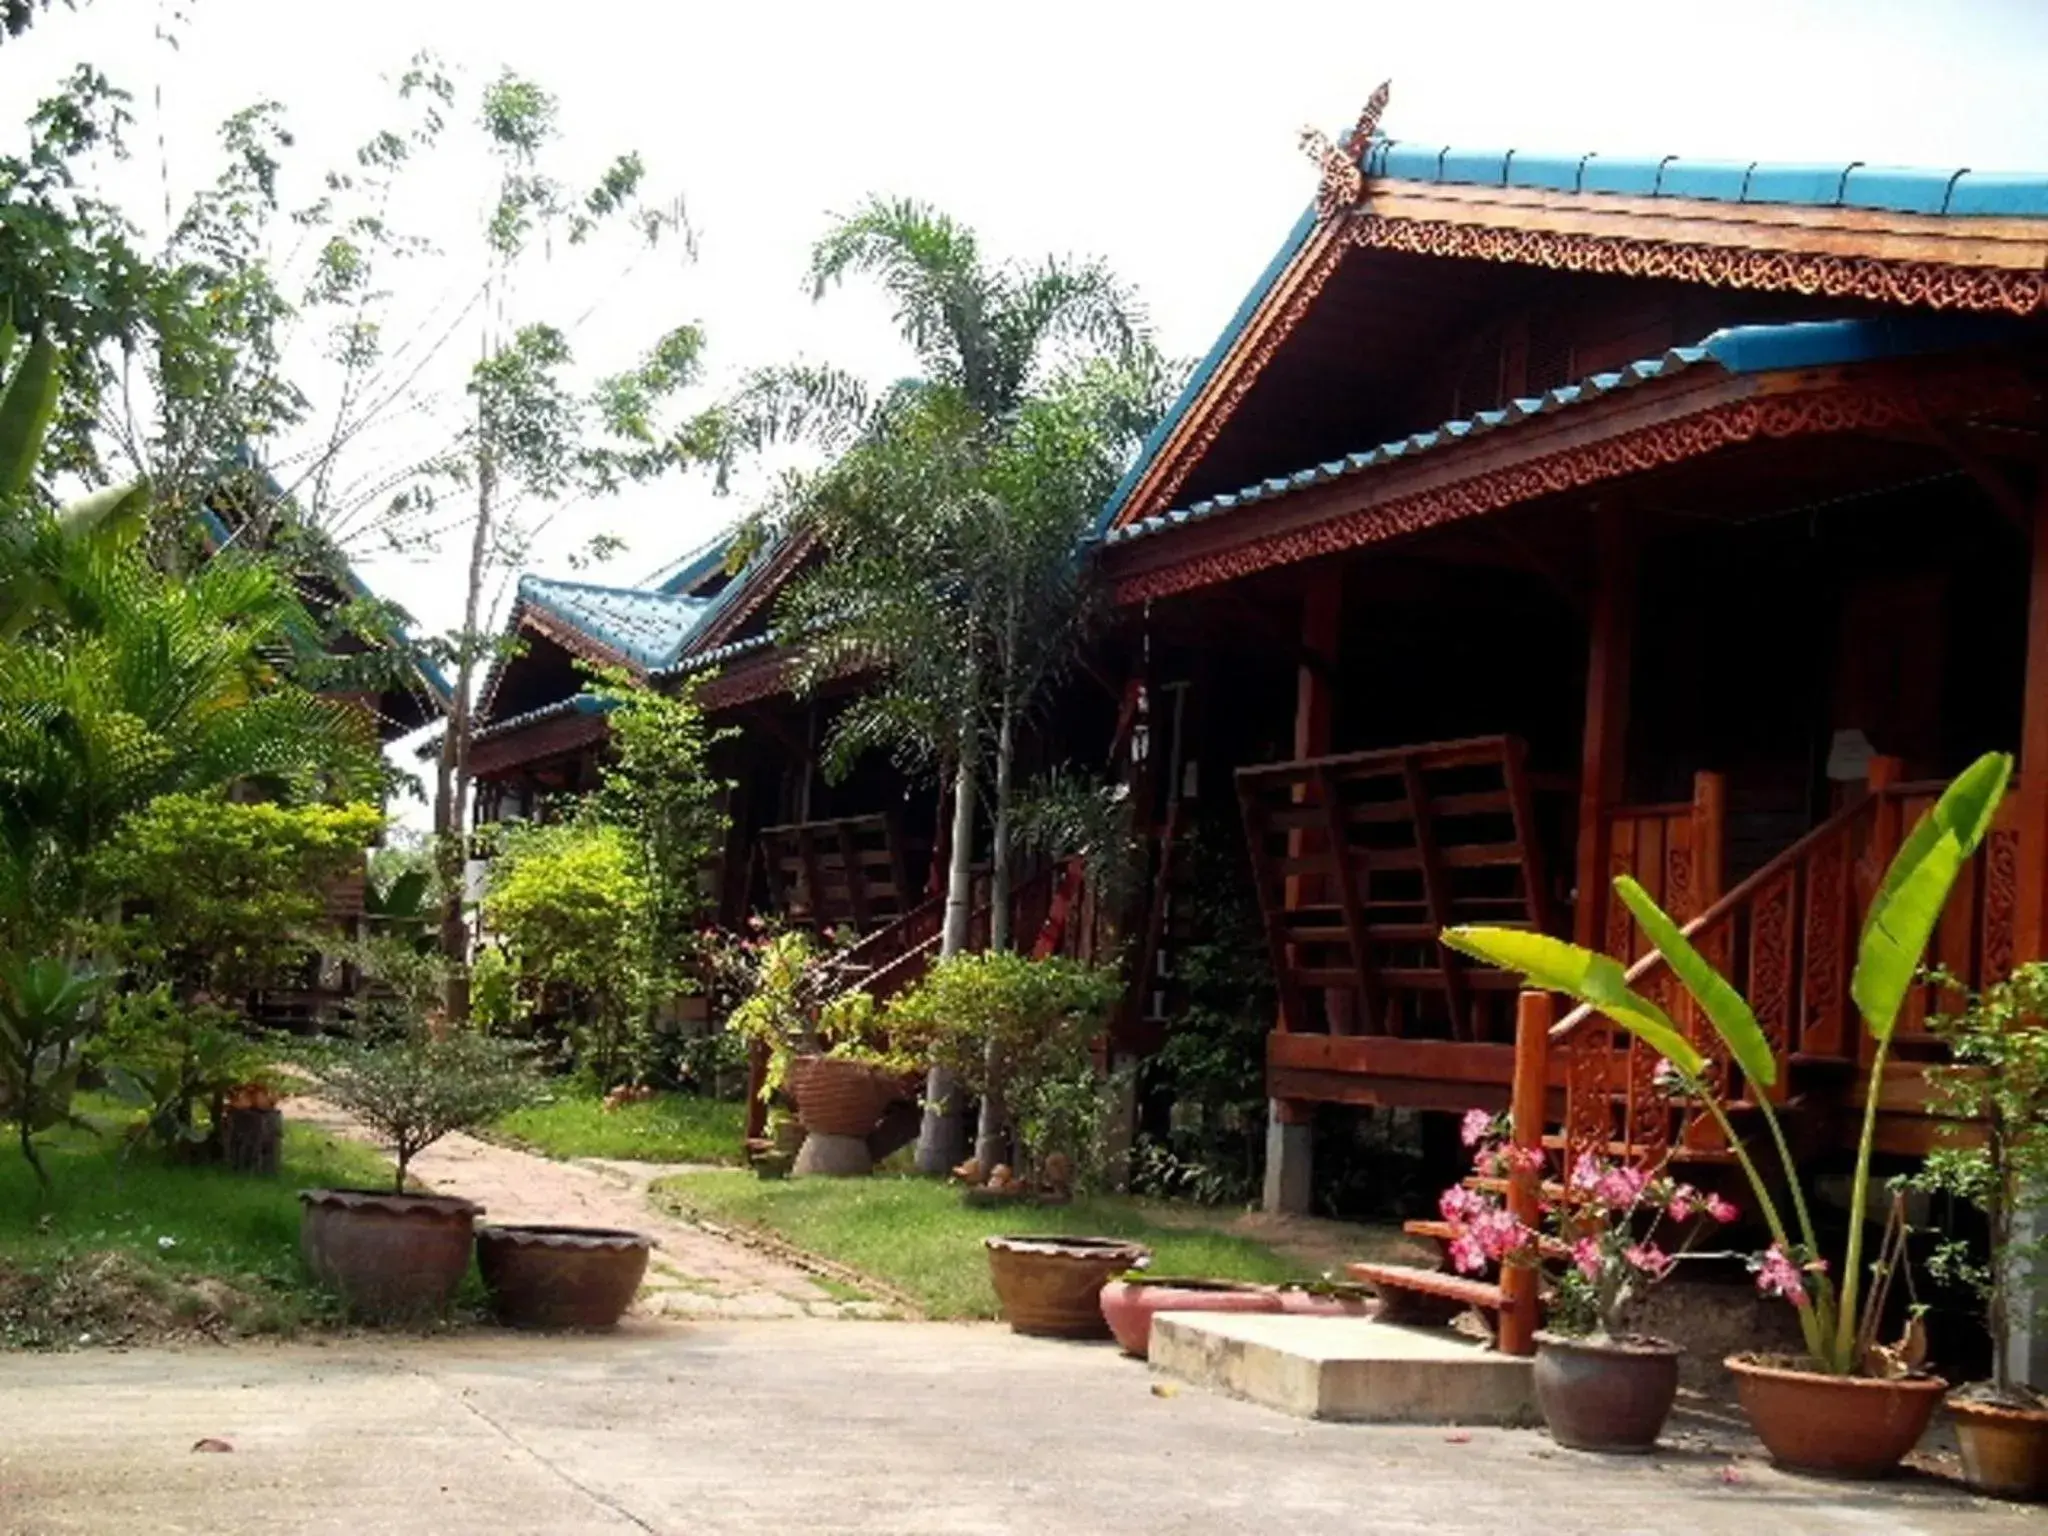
x=1158 y=136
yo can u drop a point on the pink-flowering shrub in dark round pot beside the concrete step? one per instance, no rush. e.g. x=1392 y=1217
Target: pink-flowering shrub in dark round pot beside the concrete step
x=1598 y=1385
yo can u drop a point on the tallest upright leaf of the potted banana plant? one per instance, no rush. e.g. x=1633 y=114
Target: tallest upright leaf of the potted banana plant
x=1918 y=886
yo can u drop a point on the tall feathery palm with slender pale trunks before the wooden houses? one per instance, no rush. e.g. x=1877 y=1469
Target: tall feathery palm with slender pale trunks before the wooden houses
x=953 y=513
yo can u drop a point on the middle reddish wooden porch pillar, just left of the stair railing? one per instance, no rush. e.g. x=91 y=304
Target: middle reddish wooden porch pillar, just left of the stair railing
x=1603 y=761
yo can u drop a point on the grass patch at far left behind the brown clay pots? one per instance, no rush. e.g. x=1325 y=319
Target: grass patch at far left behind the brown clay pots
x=124 y=1250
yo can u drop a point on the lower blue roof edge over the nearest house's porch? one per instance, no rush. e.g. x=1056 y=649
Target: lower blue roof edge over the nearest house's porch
x=1738 y=349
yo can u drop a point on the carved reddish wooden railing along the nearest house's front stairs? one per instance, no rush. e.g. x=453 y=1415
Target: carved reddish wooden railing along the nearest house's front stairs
x=1787 y=939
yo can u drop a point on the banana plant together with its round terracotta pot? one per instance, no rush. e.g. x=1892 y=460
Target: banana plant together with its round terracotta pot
x=1846 y=1406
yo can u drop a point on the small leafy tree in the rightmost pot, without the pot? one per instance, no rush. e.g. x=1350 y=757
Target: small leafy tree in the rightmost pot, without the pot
x=1996 y=1150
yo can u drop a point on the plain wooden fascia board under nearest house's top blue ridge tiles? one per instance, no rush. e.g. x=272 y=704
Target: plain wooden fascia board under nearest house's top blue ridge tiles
x=2014 y=245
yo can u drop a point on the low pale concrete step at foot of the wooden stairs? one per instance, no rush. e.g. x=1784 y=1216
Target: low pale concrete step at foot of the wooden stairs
x=1349 y=1369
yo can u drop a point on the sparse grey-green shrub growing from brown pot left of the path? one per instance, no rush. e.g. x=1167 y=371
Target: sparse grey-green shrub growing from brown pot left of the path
x=423 y=1089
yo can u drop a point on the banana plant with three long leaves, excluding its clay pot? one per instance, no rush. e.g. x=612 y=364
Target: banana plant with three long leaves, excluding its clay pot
x=1904 y=916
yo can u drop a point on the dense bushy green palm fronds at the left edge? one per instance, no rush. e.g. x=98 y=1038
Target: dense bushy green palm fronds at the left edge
x=122 y=681
